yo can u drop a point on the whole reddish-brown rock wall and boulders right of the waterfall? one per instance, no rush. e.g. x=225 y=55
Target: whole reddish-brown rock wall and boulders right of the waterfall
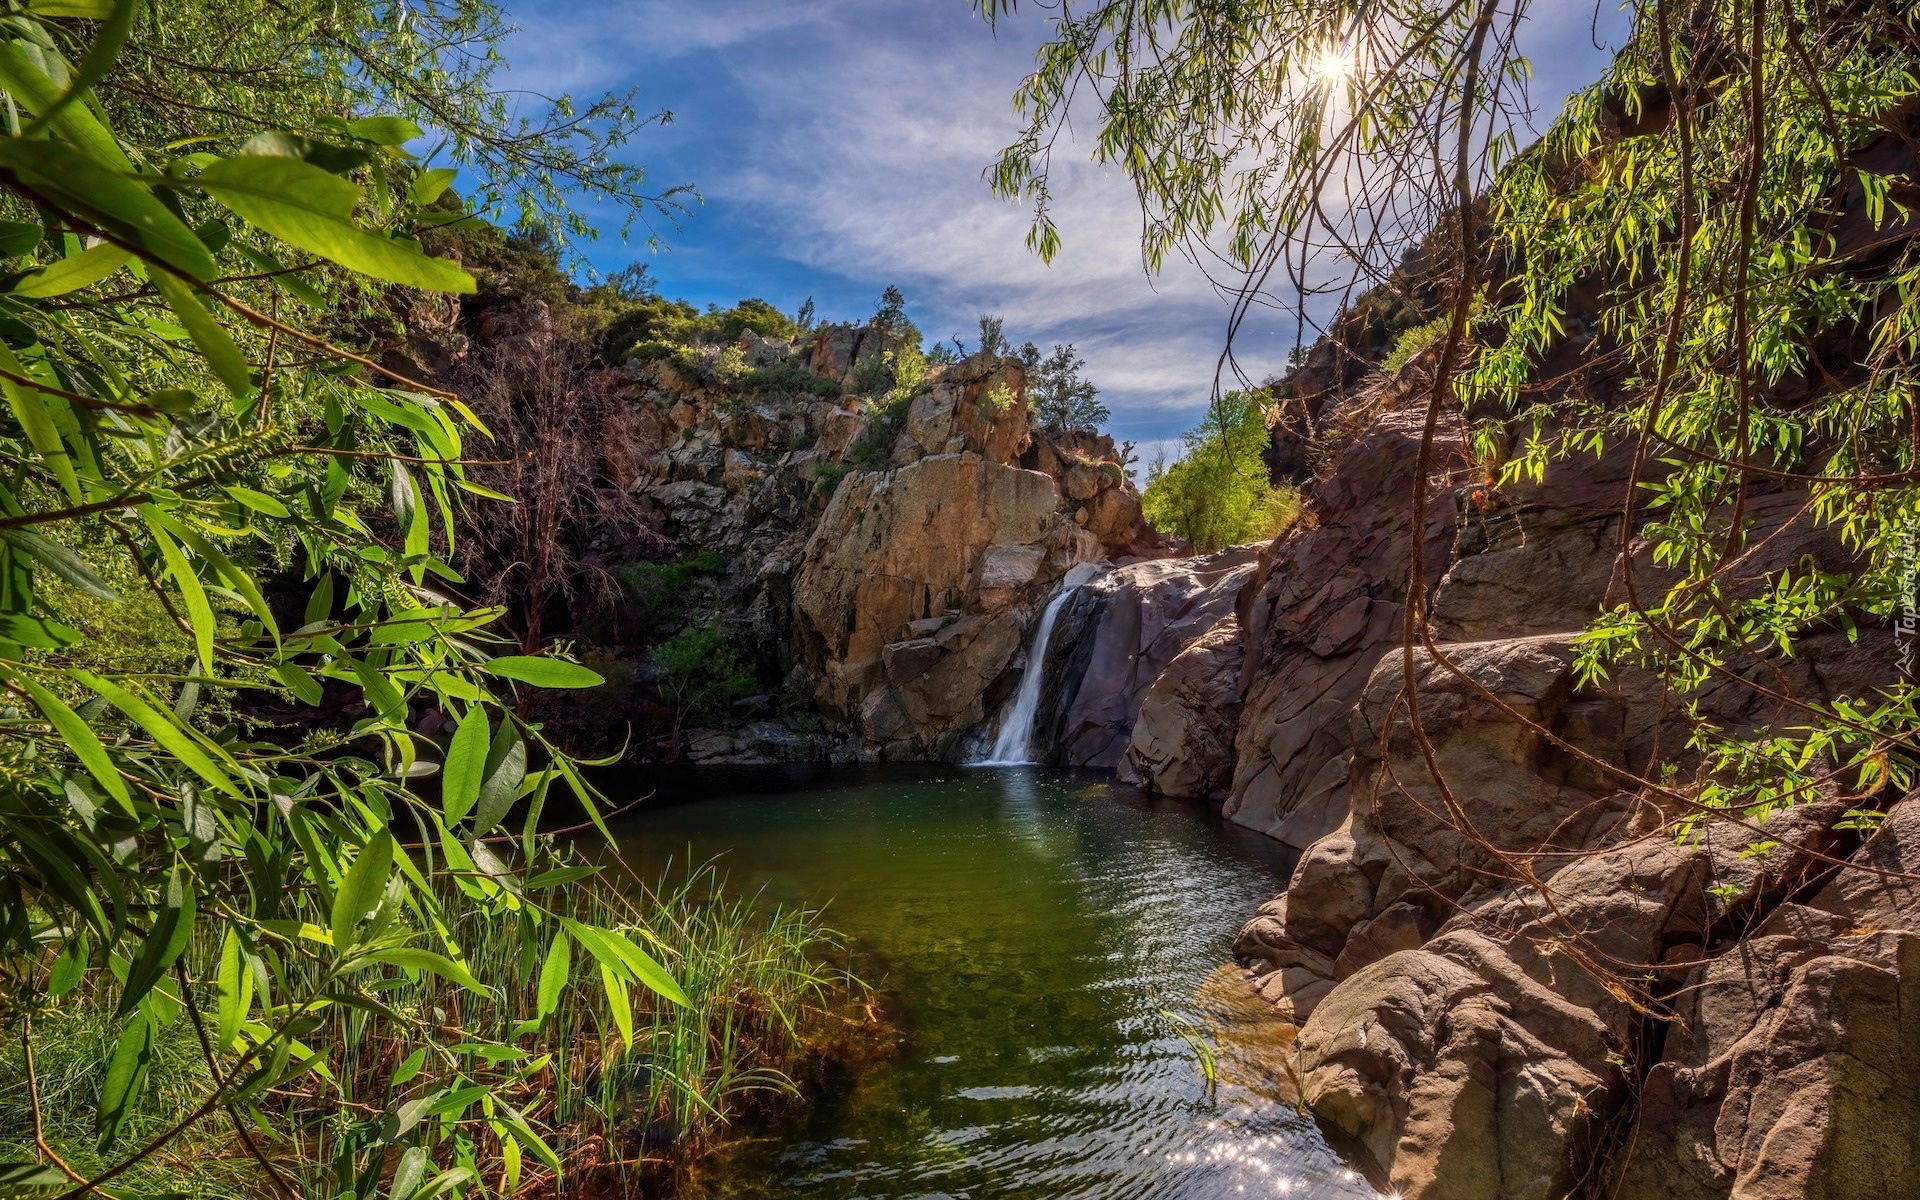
x=1477 y=911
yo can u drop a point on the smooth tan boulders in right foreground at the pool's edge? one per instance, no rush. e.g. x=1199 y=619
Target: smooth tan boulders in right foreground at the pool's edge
x=1456 y=1028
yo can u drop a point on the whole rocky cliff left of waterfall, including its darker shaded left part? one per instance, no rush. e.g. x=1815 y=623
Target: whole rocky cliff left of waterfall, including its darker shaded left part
x=892 y=554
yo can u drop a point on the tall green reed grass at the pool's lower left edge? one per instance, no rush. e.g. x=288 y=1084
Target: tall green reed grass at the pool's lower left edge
x=627 y=1122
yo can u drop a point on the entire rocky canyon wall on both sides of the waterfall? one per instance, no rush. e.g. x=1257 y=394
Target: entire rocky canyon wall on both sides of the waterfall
x=1510 y=980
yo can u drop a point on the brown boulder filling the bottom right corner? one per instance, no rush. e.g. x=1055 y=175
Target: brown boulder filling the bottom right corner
x=1796 y=1065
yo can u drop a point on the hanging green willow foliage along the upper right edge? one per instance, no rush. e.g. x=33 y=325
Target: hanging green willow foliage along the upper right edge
x=1737 y=370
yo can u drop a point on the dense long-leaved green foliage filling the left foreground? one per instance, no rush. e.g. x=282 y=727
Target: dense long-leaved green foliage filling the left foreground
x=276 y=521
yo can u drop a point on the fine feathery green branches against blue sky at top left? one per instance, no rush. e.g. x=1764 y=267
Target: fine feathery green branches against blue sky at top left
x=226 y=70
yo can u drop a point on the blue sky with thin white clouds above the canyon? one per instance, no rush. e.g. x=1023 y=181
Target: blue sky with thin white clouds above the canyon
x=840 y=149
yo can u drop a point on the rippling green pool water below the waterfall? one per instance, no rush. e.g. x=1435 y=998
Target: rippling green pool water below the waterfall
x=1028 y=930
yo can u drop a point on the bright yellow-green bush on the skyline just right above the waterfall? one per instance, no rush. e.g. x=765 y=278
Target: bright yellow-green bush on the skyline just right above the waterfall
x=1218 y=494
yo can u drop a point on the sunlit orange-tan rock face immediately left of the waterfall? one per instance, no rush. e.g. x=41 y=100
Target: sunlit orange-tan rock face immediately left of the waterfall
x=919 y=585
